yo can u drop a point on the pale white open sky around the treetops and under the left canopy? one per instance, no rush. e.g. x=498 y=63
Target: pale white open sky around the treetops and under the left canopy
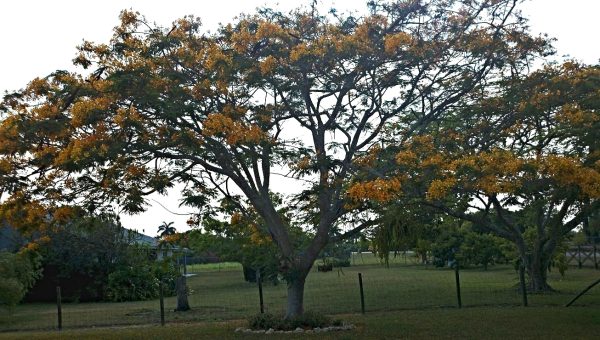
x=39 y=36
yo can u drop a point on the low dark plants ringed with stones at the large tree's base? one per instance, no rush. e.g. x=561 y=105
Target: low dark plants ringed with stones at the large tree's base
x=308 y=320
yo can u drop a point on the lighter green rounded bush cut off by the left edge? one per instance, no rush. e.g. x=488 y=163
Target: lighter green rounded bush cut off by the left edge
x=18 y=272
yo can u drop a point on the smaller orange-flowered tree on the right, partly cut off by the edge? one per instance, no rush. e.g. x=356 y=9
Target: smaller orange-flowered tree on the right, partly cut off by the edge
x=521 y=162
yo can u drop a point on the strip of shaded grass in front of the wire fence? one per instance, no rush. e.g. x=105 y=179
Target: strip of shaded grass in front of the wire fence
x=469 y=323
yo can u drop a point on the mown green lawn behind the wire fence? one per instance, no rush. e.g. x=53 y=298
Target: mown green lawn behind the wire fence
x=223 y=295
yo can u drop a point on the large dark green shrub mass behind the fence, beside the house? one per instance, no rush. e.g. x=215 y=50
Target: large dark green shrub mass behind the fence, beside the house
x=95 y=258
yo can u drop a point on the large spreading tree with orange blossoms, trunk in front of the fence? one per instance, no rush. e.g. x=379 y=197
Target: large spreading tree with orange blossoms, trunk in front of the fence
x=302 y=94
